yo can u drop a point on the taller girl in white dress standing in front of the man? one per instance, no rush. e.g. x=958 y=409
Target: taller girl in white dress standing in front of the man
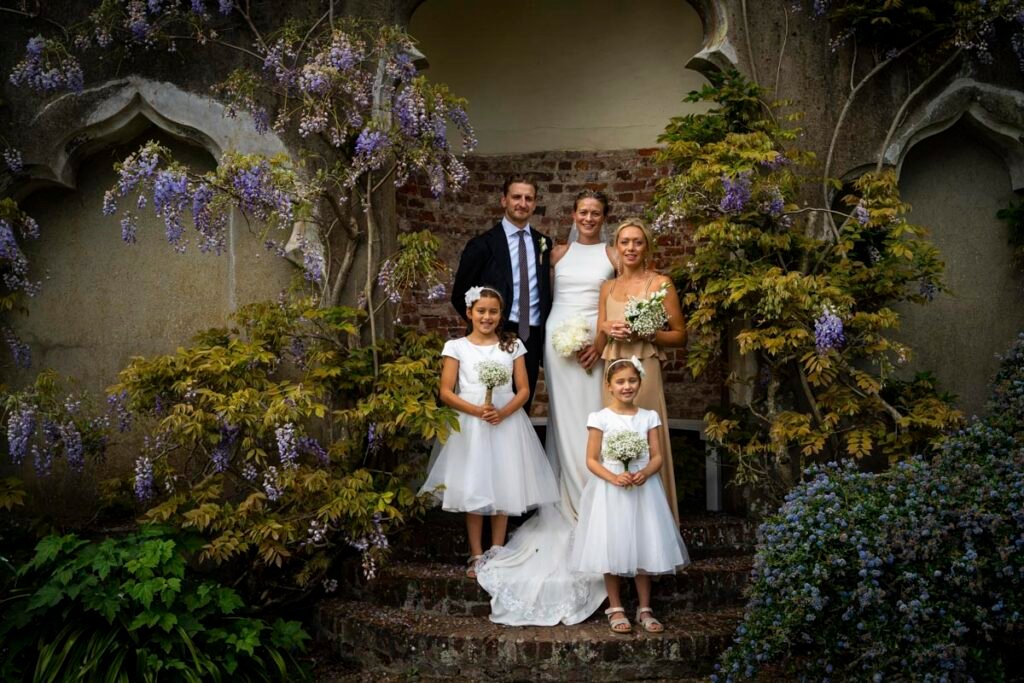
x=494 y=465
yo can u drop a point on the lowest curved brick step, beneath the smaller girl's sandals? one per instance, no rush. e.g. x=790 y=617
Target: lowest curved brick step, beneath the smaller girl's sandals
x=390 y=641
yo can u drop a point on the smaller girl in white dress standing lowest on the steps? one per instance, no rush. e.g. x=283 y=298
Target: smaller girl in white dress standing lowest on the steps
x=626 y=528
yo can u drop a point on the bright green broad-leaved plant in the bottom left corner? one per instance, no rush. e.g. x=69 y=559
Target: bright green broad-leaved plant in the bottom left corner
x=130 y=610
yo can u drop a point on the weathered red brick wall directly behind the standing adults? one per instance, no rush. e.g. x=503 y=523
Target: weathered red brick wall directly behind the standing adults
x=628 y=178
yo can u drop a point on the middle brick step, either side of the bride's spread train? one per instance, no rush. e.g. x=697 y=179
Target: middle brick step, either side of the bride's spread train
x=445 y=589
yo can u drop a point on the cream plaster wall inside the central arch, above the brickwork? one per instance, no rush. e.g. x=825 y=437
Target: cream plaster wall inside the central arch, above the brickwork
x=567 y=75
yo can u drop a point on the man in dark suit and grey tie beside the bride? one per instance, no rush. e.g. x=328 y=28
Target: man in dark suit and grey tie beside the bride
x=515 y=260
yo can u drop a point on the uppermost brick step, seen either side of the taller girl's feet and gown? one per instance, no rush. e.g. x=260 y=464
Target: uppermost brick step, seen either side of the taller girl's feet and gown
x=442 y=538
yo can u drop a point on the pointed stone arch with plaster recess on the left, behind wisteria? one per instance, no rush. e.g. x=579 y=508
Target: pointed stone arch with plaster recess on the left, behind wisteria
x=105 y=302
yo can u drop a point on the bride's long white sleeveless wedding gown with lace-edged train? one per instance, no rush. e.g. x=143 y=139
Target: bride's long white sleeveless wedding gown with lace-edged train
x=529 y=579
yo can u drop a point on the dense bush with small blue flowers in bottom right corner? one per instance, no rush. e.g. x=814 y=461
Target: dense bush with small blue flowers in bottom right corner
x=915 y=572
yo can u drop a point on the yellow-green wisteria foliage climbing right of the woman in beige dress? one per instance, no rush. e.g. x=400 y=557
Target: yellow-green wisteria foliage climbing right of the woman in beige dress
x=775 y=276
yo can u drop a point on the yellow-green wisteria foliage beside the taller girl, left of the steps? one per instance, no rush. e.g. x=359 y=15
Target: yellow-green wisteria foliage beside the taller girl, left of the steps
x=277 y=441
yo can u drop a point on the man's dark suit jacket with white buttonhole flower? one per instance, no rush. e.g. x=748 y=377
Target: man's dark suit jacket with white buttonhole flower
x=486 y=261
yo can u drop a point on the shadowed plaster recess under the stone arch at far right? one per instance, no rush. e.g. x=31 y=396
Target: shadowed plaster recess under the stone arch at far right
x=956 y=185
